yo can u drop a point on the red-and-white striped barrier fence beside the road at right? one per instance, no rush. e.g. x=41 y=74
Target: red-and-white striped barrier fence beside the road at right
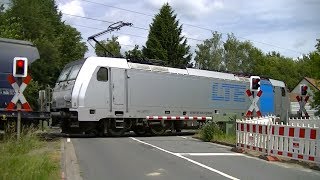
x=291 y=141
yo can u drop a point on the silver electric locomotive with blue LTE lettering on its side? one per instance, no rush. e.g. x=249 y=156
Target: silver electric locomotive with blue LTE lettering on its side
x=101 y=94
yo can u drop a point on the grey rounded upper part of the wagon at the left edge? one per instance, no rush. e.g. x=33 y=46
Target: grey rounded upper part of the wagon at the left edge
x=10 y=48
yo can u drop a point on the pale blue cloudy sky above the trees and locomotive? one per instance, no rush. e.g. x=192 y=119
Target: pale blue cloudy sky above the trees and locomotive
x=290 y=27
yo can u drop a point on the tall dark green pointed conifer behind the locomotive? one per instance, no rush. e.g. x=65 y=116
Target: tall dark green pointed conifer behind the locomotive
x=165 y=41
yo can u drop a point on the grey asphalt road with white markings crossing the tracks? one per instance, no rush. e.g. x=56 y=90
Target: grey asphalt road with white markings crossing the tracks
x=175 y=158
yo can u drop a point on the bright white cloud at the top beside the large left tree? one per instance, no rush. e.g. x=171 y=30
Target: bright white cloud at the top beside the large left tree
x=72 y=7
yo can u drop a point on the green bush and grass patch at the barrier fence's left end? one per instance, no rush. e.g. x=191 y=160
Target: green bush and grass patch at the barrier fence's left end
x=211 y=132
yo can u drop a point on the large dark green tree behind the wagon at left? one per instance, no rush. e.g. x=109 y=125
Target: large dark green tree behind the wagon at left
x=40 y=22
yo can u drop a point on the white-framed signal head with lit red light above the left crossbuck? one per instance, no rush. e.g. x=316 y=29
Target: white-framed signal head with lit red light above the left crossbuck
x=20 y=67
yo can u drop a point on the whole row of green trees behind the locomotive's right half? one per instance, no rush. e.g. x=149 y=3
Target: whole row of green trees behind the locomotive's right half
x=237 y=56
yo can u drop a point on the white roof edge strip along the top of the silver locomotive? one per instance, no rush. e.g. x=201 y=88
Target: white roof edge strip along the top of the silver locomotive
x=123 y=63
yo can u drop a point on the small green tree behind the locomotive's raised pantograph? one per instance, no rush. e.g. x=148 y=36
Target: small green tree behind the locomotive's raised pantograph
x=112 y=45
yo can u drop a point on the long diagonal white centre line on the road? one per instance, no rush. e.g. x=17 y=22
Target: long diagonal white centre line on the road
x=185 y=158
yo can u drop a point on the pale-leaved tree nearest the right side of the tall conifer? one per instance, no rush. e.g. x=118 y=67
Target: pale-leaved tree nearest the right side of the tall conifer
x=210 y=53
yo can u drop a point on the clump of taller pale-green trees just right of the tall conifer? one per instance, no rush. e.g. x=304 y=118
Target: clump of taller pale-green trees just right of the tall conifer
x=232 y=55
